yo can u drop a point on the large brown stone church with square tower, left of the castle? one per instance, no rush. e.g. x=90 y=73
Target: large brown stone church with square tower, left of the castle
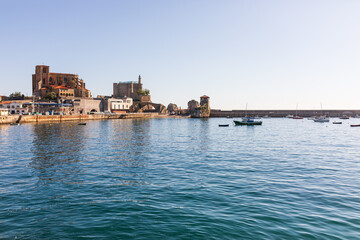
x=64 y=85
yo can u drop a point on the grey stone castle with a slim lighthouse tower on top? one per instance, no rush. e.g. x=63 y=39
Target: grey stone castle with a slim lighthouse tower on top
x=131 y=89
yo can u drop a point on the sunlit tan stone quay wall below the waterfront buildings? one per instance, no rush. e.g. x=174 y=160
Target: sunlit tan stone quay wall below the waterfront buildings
x=60 y=118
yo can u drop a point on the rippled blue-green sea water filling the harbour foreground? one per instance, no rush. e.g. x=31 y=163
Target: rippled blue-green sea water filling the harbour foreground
x=180 y=179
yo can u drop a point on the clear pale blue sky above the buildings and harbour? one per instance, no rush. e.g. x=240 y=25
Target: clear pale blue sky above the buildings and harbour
x=269 y=54
